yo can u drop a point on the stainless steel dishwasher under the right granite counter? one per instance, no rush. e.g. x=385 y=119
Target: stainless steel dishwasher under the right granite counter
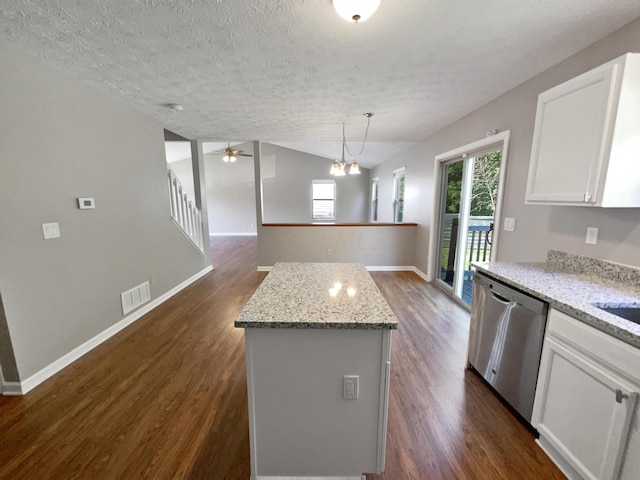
x=505 y=340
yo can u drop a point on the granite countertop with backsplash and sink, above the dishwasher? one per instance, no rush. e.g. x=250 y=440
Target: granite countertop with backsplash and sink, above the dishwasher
x=572 y=284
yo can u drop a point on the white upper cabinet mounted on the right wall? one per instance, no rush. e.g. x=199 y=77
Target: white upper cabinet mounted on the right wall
x=586 y=141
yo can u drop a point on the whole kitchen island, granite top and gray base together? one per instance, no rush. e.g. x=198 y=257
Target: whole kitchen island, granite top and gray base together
x=317 y=340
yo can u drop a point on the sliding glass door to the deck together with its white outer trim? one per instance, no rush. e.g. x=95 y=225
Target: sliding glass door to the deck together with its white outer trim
x=468 y=204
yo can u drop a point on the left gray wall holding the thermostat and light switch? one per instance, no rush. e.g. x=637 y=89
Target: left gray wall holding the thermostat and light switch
x=61 y=140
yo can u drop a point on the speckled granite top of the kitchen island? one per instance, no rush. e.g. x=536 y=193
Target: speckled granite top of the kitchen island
x=317 y=295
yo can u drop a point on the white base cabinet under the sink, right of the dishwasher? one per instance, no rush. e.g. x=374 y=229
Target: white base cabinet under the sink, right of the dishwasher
x=585 y=407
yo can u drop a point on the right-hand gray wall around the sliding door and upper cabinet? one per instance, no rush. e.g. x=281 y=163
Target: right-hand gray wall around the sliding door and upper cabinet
x=538 y=228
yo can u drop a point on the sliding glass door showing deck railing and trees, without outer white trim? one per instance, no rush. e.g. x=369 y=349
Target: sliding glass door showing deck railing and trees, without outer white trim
x=469 y=189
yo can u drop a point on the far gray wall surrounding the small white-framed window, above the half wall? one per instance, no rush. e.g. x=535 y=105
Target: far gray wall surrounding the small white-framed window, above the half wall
x=286 y=184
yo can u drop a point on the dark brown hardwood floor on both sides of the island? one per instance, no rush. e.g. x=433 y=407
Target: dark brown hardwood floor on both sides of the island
x=166 y=397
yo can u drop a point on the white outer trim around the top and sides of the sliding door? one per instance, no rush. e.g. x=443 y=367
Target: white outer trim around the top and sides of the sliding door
x=501 y=140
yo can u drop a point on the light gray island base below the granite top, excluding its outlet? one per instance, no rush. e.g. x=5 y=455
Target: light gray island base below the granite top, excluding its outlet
x=300 y=425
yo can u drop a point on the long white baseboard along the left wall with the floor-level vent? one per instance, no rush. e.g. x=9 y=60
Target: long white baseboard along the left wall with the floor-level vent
x=54 y=367
